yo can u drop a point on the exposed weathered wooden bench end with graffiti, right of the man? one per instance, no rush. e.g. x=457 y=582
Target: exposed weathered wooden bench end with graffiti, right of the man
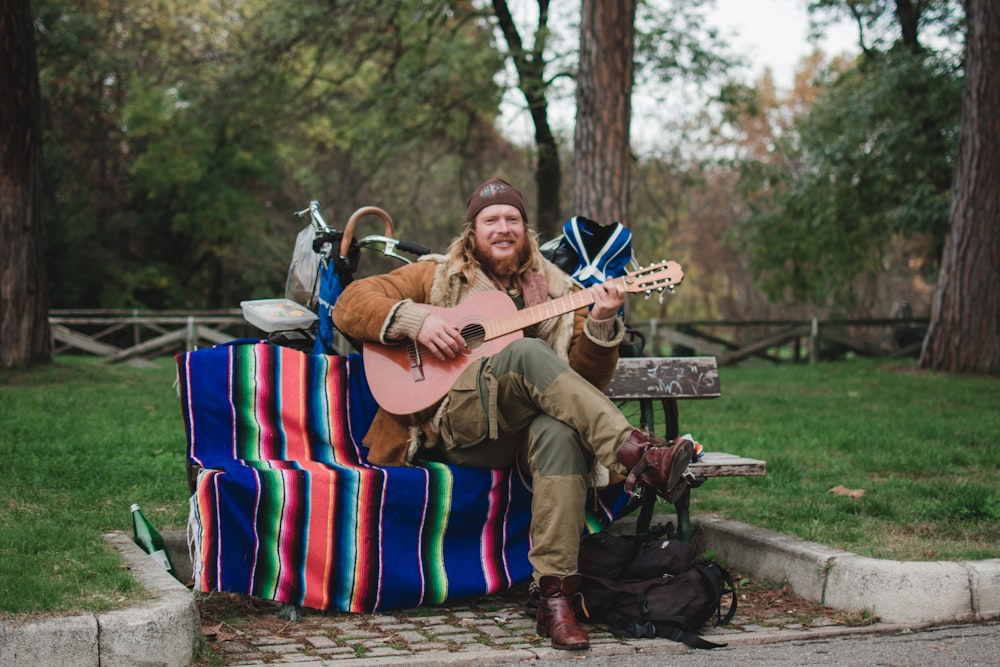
x=655 y=385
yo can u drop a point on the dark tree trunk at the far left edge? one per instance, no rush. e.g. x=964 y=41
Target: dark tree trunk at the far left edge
x=24 y=327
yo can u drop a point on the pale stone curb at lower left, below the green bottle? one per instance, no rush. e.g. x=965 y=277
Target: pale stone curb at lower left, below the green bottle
x=160 y=632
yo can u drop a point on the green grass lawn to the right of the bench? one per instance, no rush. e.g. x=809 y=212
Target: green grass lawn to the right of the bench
x=920 y=451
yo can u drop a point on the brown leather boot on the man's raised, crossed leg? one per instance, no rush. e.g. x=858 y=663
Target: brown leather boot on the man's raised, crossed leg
x=657 y=463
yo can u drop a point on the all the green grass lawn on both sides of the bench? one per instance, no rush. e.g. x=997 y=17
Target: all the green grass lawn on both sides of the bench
x=80 y=441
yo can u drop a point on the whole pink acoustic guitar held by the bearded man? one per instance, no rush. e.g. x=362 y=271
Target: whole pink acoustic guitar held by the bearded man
x=406 y=378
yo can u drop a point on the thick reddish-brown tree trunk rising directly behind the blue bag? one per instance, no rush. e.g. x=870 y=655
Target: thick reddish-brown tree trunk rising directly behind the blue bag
x=603 y=156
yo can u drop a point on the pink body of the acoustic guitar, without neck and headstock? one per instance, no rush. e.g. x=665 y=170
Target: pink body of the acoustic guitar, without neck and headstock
x=405 y=380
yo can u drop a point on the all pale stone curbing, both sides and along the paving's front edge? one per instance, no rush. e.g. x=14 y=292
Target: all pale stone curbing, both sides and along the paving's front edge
x=164 y=631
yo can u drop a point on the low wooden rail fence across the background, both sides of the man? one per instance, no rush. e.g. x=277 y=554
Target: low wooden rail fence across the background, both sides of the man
x=134 y=336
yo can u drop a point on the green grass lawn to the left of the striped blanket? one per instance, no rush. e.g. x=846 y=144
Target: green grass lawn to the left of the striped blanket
x=79 y=442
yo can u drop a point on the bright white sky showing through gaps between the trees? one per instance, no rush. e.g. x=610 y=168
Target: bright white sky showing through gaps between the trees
x=769 y=33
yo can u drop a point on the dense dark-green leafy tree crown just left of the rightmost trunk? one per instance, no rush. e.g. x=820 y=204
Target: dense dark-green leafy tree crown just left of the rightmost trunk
x=870 y=164
